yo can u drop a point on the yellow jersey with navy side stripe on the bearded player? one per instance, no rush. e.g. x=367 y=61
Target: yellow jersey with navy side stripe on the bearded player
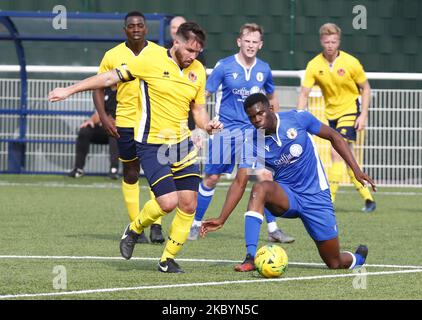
x=166 y=93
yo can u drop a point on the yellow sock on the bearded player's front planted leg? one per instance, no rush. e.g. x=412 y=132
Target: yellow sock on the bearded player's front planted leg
x=178 y=234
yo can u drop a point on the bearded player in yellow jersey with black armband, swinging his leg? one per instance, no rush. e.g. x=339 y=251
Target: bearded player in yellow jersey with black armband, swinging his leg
x=169 y=80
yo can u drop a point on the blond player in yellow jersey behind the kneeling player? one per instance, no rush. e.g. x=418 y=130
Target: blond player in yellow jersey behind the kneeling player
x=342 y=80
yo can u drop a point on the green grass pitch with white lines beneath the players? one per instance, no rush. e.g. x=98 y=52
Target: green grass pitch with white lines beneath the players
x=54 y=226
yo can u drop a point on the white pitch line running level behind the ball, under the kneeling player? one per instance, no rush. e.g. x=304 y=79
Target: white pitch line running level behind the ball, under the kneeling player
x=185 y=260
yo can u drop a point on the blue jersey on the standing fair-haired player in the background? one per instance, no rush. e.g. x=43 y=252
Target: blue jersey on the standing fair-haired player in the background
x=237 y=84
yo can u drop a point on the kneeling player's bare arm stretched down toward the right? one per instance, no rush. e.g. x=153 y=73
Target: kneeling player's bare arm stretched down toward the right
x=340 y=145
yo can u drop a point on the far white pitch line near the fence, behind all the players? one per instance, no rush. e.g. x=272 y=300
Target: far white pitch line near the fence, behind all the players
x=221 y=186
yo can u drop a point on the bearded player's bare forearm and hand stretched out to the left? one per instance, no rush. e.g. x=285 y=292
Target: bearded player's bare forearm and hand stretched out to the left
x=98 y=81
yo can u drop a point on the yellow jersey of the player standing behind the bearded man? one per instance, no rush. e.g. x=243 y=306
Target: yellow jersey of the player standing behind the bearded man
x=128 y=109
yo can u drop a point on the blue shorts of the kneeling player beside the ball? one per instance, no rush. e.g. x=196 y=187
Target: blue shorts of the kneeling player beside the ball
x=316 y=212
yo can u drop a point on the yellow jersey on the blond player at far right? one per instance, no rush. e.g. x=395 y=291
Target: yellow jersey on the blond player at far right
x=338 y=83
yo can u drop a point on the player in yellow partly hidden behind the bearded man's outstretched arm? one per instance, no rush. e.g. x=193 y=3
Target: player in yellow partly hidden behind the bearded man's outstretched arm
x=127 y=115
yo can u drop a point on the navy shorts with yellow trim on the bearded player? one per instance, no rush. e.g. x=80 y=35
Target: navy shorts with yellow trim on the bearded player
x=170 y=168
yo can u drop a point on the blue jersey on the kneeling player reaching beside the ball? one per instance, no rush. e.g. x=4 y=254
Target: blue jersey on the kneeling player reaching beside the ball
x=292 y=155
